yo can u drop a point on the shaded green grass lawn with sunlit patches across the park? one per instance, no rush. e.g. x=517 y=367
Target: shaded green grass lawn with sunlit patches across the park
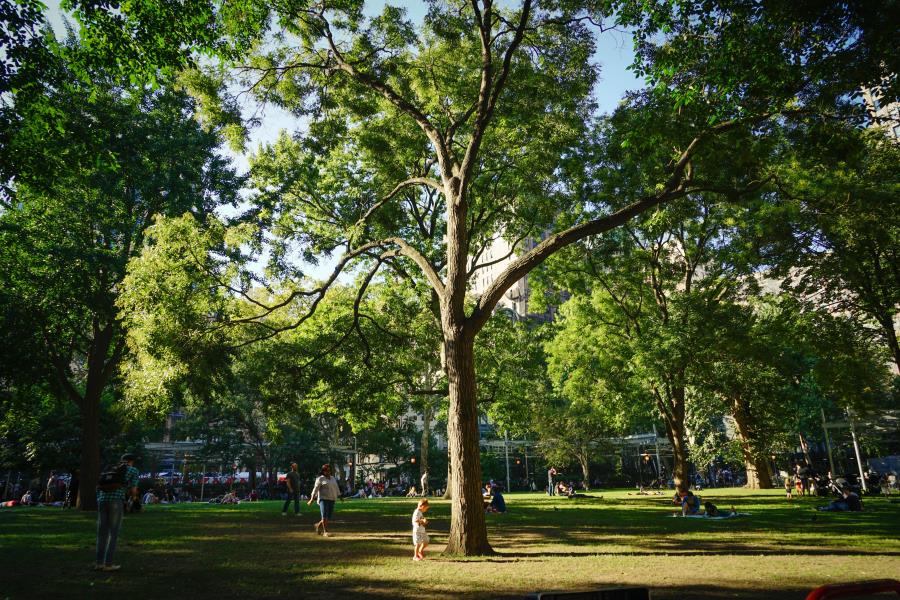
x=251 y=551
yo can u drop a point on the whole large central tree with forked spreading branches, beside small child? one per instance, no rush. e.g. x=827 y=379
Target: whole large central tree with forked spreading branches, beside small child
x=473 y=124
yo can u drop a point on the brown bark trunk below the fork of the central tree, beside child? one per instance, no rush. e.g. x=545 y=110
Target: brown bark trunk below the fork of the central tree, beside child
x=468 y=531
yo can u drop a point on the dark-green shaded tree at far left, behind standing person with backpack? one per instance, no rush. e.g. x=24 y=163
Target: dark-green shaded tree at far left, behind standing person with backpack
x=94 y=163
